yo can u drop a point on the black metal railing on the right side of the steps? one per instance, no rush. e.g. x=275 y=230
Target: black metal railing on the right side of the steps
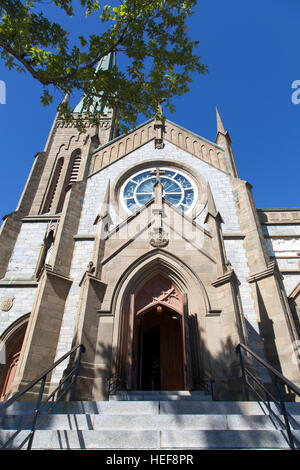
x=281 y=388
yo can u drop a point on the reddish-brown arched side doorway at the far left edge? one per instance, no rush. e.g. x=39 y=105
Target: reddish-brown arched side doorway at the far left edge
x=12 y=340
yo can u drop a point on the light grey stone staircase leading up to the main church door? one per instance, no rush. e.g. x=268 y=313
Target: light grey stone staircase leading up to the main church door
x=154 y=420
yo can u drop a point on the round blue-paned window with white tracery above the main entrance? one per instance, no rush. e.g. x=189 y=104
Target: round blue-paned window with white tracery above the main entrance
x=178 y=189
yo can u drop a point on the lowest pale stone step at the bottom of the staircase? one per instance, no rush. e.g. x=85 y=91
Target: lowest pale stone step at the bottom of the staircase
x=159 y=440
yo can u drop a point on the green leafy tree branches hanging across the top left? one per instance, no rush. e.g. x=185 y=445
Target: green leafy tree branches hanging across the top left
x=152 y=33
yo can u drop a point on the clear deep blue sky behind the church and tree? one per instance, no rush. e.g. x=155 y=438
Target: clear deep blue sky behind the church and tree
x=252 y=52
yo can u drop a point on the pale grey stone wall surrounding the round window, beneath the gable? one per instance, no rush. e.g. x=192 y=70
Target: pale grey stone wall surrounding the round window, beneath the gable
x=144 y=157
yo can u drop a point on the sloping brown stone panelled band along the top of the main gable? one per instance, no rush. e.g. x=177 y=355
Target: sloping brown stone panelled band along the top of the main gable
x=199 y=147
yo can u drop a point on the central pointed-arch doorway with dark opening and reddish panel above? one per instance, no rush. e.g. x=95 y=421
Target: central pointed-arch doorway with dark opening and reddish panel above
x=158 y=346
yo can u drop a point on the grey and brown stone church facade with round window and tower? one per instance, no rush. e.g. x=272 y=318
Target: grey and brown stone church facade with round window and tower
x=148 y=249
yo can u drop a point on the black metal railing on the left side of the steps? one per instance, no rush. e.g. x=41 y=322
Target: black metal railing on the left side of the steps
x=66 y=385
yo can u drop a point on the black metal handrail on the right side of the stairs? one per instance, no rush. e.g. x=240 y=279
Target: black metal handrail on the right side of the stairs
x=279 y=380
